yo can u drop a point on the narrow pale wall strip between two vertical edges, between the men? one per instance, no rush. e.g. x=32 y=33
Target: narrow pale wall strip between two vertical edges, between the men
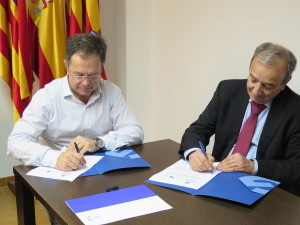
x=138 y=62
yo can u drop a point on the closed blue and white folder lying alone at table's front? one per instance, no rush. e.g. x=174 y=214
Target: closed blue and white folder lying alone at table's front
x=117 y=205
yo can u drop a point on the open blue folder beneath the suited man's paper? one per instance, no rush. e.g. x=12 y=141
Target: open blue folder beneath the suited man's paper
x=235 y=186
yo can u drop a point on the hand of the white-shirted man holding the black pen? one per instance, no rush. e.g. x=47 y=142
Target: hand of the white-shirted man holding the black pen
x=70 y=160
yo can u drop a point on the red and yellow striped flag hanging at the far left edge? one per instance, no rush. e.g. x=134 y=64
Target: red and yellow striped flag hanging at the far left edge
x=15 y=61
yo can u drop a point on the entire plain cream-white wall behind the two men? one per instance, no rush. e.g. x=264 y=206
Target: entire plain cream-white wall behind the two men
x=169 y=55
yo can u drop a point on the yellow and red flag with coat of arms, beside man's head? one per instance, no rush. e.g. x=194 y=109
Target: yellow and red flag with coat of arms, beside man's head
x=49 y=35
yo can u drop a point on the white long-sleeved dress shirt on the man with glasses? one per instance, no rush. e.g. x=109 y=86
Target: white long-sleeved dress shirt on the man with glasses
x=55 y=116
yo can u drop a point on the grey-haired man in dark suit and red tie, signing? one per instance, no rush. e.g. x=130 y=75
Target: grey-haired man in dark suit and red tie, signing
x=274 y=150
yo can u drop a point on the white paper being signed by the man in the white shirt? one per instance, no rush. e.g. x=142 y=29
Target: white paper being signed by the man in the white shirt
x=48 y=172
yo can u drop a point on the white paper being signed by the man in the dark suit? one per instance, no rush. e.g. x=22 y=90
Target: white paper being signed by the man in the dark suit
x=181 y=174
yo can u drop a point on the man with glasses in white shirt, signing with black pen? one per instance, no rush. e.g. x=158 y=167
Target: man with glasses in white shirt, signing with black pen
x=79 y=108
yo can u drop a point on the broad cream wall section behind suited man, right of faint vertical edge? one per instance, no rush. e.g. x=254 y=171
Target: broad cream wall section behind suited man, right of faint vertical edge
x=197 y=43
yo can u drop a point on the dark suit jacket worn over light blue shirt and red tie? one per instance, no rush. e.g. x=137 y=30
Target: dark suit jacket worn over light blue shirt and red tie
x=278 y=152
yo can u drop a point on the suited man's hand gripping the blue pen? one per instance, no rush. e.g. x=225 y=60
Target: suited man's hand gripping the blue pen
x=199 y=162
